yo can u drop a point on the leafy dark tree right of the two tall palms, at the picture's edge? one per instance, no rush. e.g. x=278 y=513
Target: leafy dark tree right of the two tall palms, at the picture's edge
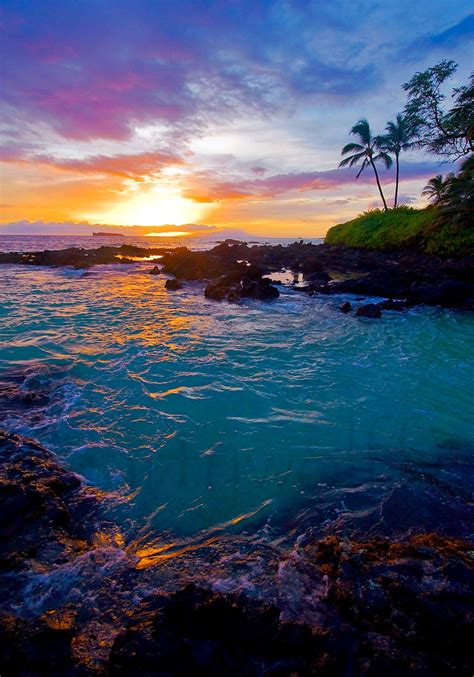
x=451 y=132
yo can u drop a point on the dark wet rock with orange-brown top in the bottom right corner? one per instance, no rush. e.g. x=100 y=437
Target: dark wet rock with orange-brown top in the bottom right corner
x=405 y=604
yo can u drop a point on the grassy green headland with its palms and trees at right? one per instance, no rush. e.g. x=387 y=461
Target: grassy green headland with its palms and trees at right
x=446 y=227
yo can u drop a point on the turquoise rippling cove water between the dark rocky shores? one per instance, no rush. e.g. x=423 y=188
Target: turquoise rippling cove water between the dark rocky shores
x=210 y=417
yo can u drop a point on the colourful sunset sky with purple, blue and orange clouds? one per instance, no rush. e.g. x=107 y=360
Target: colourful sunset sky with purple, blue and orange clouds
x=229 y=113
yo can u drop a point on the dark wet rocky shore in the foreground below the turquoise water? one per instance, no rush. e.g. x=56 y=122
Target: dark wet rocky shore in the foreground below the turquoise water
x=373 y=594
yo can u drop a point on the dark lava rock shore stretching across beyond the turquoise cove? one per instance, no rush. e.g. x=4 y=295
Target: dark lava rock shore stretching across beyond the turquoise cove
x=234 y=270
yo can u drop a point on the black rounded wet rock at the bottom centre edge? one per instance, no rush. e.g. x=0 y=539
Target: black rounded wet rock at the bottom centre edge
x=199 y=632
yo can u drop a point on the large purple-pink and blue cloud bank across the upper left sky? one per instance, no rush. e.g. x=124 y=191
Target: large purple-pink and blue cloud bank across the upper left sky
x=96 y=70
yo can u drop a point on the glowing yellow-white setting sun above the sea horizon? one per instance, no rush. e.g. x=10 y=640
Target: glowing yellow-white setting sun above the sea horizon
x=153 y=207
